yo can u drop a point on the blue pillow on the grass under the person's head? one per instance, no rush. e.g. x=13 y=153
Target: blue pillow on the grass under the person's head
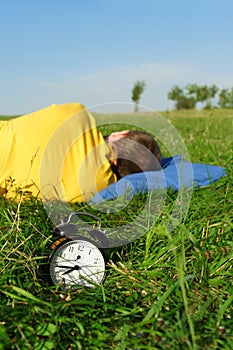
x=175 y=174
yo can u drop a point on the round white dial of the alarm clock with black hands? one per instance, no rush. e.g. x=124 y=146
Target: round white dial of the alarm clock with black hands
x=77 y=262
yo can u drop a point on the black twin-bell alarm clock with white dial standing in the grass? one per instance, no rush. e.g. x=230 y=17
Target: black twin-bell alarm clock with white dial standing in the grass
x=78 y=254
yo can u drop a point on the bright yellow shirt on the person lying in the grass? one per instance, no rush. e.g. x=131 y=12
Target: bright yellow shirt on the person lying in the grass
x=54 y=153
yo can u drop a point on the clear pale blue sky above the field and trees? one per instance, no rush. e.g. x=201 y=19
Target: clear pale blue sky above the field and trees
x=93 y=51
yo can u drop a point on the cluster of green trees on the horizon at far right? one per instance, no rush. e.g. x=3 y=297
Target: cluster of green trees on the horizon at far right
x=191 y=94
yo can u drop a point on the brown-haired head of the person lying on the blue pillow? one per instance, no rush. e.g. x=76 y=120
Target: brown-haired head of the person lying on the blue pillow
x=137 y=152
